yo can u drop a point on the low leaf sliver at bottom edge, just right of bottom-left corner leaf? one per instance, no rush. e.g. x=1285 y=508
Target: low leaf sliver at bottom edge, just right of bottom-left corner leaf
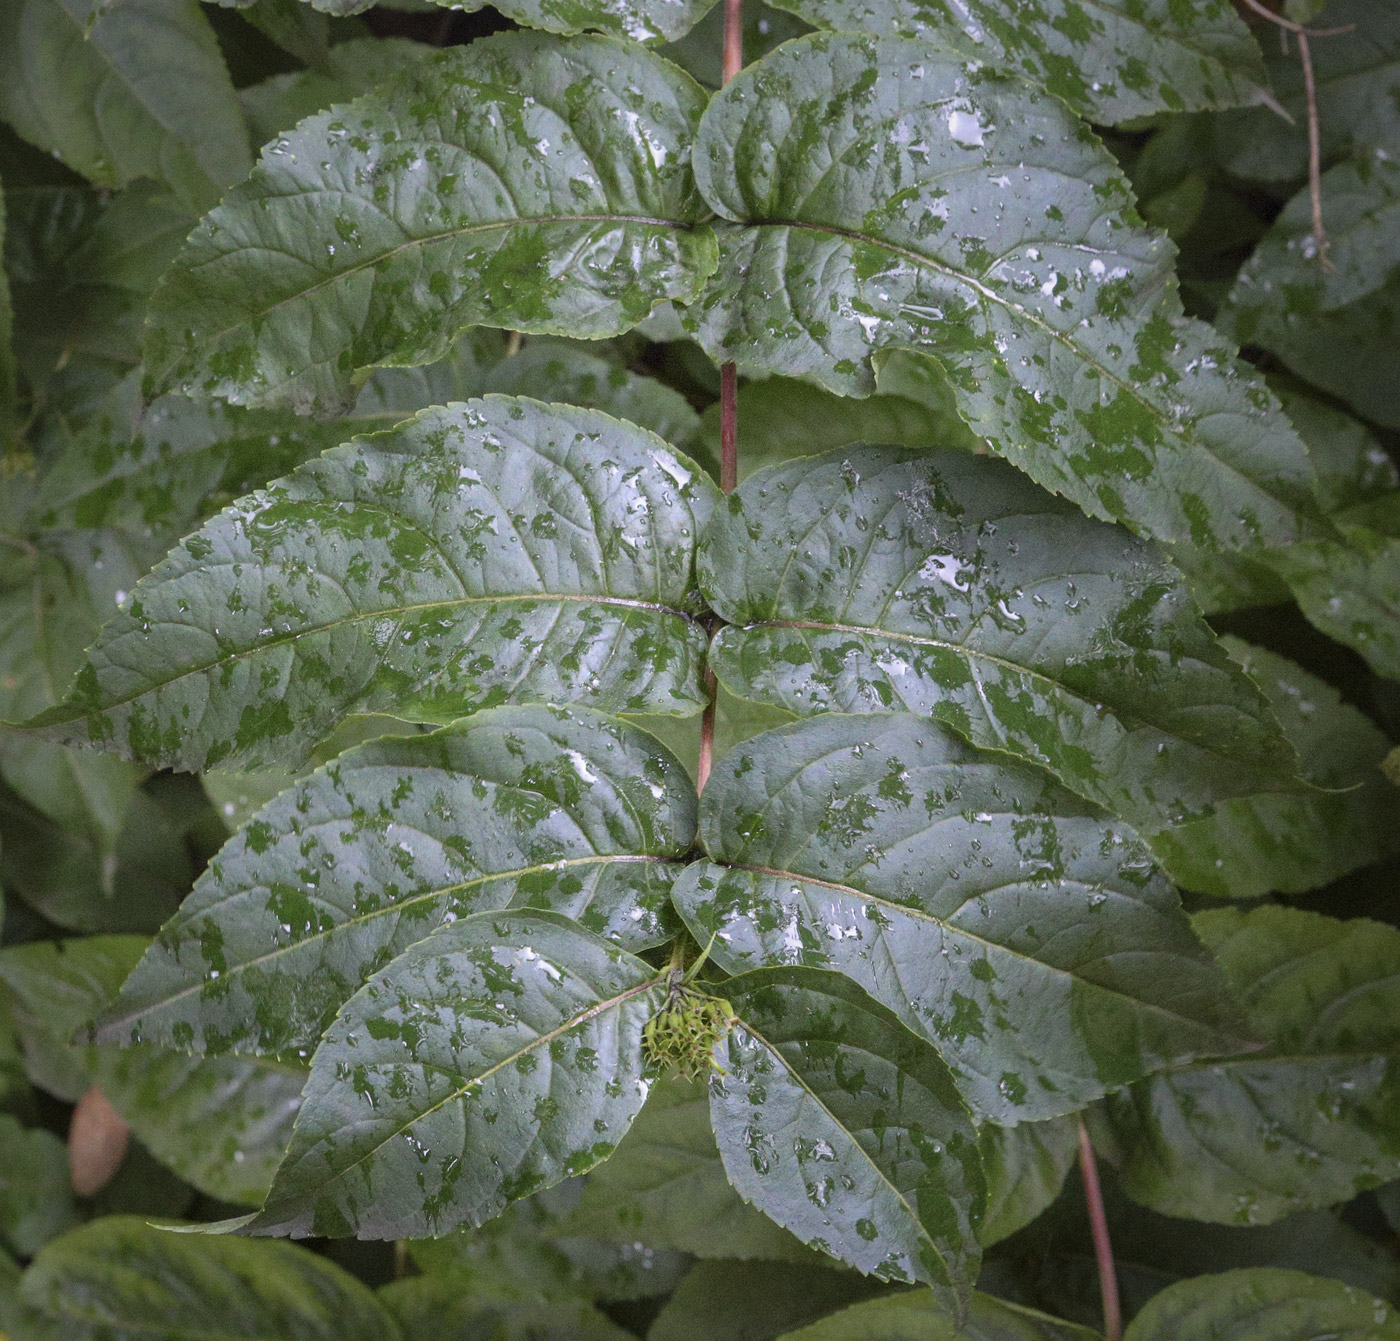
x=436 y=1307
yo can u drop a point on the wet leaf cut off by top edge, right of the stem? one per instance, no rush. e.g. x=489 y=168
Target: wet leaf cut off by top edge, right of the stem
x=1112 y=61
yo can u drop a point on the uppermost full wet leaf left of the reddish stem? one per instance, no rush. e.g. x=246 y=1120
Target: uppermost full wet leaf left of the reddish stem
x=520 y=183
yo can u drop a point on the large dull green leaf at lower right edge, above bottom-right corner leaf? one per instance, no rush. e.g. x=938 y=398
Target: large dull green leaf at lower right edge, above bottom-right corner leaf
x=1310 y=1121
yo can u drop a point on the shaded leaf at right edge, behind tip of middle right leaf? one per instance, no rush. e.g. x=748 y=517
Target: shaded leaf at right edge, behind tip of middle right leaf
x=1272 y=843
